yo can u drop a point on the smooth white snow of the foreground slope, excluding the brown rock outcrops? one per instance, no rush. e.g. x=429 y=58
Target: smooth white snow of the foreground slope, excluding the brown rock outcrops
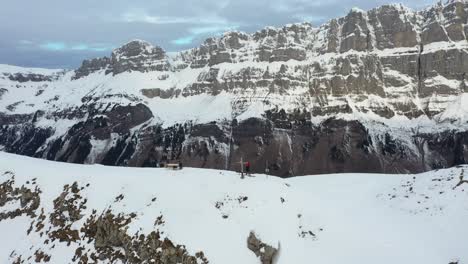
x=343 y=218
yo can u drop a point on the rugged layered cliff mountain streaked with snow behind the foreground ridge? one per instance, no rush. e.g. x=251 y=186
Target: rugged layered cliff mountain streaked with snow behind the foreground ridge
x=382 y=90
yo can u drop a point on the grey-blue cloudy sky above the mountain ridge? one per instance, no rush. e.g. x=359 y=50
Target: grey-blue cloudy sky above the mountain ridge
x=60 y=34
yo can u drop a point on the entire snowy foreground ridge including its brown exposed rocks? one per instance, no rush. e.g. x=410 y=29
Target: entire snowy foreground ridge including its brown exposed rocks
x=66 y=213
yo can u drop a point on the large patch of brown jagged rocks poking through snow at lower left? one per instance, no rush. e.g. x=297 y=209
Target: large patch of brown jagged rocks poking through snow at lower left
x=94 y=238
